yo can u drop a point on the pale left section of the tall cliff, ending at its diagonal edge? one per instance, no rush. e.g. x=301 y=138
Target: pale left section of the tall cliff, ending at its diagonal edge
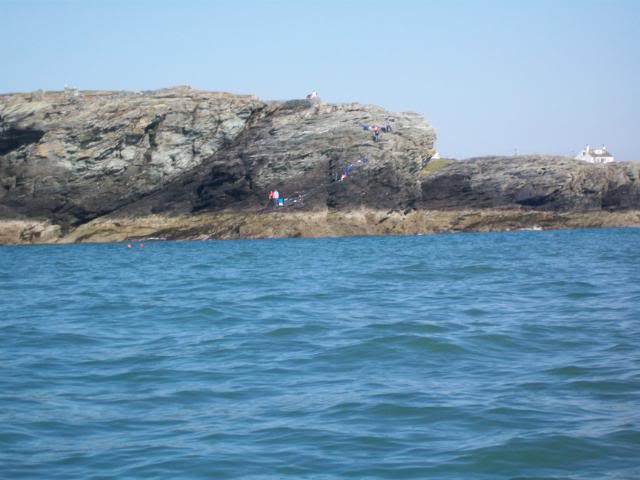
x=72 y=156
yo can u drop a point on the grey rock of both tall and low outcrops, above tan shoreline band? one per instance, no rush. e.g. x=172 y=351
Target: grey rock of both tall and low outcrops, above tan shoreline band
x=69 y=157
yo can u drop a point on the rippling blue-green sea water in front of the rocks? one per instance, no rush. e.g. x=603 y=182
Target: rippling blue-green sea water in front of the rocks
x=454 y=356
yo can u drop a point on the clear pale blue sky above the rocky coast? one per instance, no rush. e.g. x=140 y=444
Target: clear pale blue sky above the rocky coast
x=542 y=76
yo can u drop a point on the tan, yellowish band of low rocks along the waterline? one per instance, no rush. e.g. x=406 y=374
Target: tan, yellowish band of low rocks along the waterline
x=236 y=225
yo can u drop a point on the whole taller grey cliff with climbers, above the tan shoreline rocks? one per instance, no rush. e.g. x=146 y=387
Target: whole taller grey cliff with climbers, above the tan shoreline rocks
x=72 y=156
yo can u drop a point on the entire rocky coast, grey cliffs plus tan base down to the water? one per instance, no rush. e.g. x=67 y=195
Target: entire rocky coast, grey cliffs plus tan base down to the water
x=182 y=163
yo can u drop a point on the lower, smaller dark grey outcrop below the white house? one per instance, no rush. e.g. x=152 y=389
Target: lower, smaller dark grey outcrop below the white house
x=537 y=182
